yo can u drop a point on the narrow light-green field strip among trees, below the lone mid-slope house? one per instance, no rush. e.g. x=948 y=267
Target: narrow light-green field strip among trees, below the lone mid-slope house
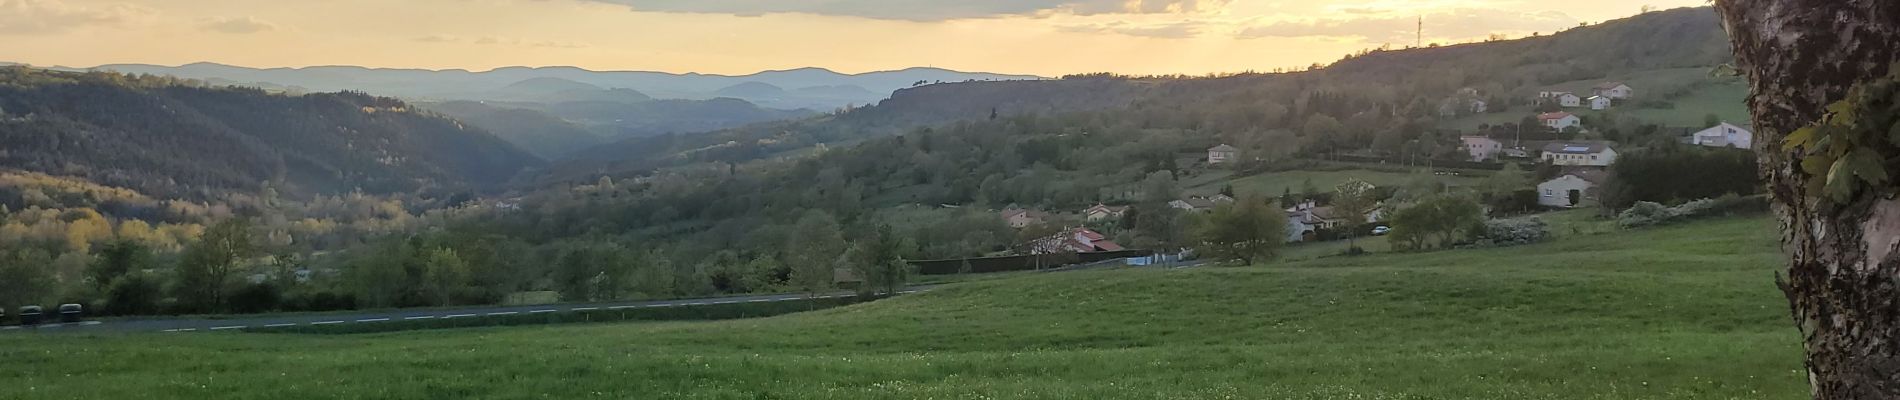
x=1272 y=185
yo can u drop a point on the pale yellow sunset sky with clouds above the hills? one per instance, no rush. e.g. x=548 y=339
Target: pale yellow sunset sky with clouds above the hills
x=740 y=37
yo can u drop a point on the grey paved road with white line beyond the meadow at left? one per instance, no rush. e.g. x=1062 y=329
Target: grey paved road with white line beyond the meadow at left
x=371 y=318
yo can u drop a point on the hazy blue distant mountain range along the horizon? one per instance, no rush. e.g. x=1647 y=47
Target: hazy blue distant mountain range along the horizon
x=803 y=88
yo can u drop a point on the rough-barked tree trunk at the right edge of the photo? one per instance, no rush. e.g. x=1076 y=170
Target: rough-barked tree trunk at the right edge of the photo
x=1842 y=274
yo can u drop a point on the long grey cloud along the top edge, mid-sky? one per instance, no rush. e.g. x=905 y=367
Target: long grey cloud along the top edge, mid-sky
x=922 y=10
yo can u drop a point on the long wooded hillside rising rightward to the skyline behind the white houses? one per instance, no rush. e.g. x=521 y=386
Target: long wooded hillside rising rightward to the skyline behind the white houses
x=1382 y=101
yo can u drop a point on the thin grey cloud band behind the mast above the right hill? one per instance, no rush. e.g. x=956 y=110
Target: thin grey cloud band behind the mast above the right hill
x=1456 y=24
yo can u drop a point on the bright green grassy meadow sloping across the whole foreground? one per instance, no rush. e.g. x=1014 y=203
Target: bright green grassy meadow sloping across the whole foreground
x=1665 y=314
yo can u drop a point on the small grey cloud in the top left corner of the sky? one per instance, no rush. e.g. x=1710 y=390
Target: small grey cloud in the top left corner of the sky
x=58 y=16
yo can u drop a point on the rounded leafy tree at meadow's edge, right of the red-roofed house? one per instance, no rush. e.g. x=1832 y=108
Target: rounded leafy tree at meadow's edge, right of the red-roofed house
x=1247 y=230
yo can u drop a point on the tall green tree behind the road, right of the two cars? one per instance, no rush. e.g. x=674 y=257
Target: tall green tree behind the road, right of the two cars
x=208 y=266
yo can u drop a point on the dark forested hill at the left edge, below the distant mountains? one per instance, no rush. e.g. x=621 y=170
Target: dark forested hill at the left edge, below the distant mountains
x=172 y=139
